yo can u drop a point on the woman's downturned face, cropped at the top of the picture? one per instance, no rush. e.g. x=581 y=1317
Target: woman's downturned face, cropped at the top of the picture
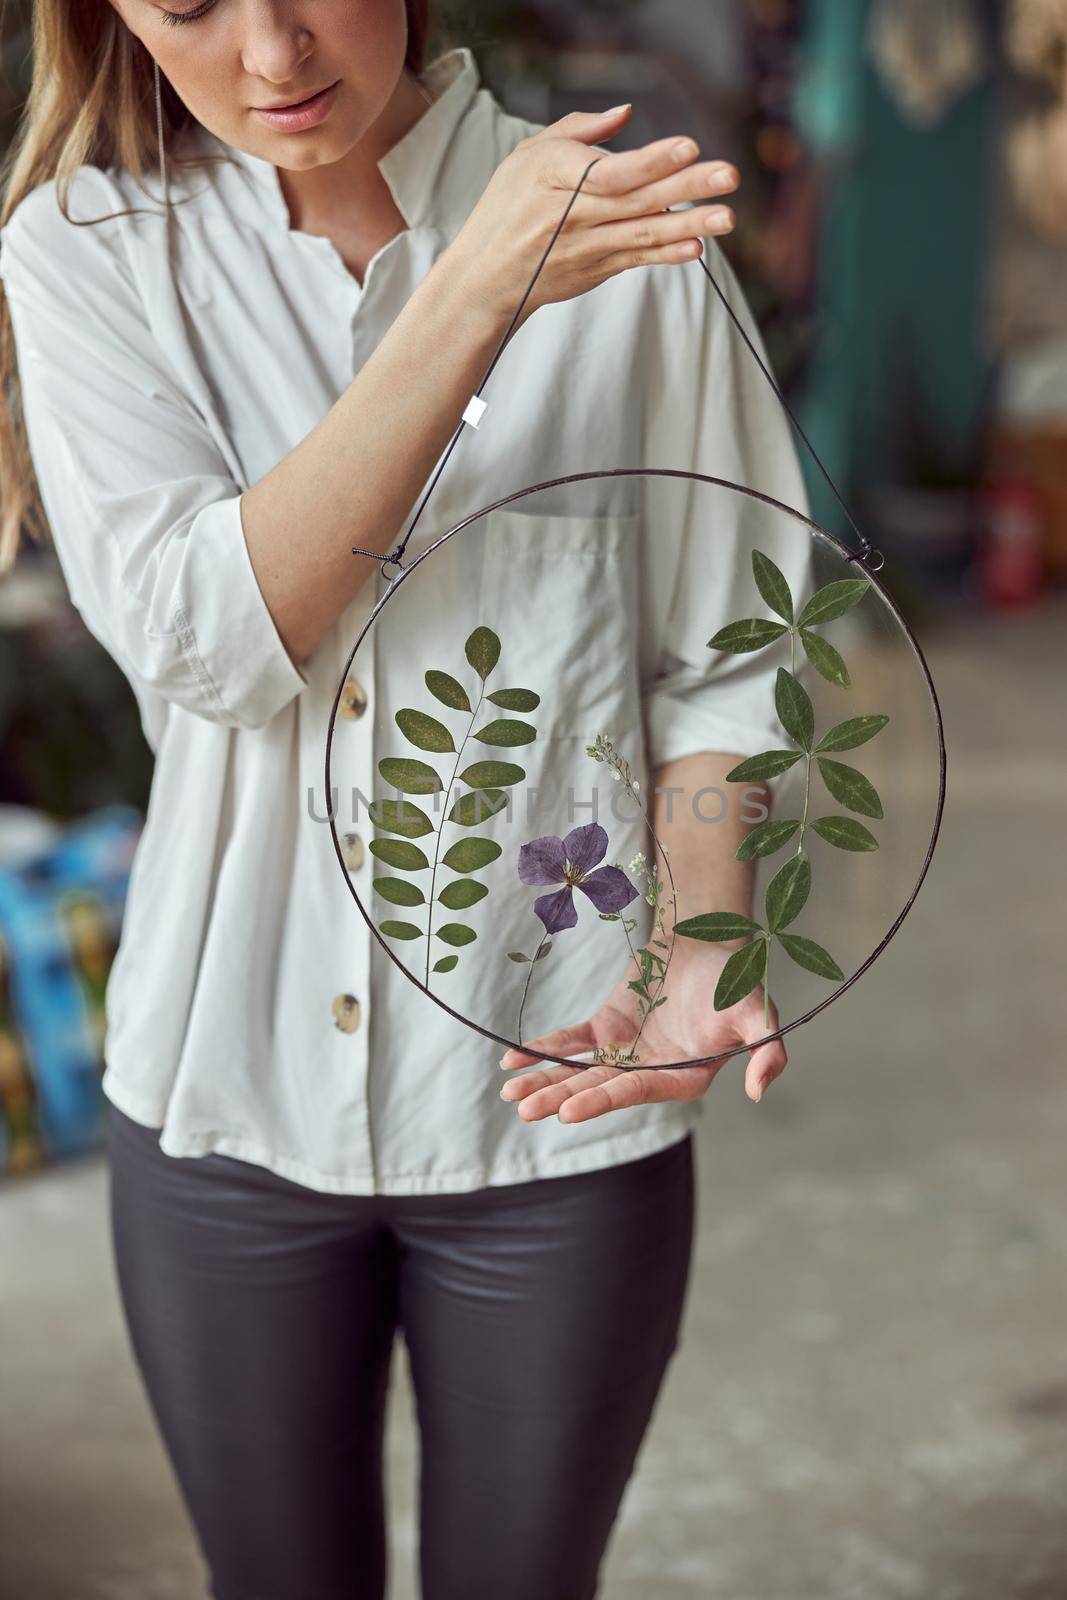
x=231 y=60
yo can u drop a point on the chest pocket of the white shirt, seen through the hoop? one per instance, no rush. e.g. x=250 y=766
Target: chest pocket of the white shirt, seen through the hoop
x=562 y=594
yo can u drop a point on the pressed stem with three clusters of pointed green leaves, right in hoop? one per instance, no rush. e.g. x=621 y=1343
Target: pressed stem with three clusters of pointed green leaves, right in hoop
x=791 y=887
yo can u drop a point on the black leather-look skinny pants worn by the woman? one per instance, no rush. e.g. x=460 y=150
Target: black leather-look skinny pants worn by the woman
x=540 y=1319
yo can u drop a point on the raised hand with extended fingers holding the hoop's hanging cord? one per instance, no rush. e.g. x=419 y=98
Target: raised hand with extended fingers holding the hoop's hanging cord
x=618 y=222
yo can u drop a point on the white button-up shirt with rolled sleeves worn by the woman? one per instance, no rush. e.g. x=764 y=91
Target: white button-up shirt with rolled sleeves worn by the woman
x=250 y=1010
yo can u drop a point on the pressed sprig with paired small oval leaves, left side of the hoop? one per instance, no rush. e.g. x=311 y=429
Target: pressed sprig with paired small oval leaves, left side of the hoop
x=486 y=794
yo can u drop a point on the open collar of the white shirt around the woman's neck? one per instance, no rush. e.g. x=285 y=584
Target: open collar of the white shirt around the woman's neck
x=412 y=167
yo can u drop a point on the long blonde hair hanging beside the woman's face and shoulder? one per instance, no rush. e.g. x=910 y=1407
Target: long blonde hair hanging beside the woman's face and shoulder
x=92 y=102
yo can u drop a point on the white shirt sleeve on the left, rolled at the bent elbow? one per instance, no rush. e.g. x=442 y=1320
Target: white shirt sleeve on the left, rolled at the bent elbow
x=143 y=511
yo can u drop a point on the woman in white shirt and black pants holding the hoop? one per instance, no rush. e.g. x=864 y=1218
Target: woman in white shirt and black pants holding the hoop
x=225 y=388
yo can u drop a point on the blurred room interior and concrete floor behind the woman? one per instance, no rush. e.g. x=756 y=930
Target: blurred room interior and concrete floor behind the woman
x=871 y=1396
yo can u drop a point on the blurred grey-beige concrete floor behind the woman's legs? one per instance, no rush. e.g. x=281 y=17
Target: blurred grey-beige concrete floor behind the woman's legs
x=871 y=1396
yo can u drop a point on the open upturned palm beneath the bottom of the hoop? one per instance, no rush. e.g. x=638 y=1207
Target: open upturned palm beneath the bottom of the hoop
x=684 y=1030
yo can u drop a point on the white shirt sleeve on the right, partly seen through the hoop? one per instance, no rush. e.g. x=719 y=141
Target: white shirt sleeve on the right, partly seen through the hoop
x=714 y=414
